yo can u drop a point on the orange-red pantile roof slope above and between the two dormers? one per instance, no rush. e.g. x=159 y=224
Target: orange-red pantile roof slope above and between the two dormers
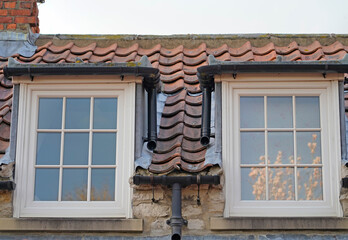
x=178 y=144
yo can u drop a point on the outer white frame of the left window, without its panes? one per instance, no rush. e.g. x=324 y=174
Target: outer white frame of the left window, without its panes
x=24 y=205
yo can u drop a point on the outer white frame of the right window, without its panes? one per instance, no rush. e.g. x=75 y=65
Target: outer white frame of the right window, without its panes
x=329 y=116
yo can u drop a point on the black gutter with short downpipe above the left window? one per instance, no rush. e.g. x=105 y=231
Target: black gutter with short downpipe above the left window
x=143 y=68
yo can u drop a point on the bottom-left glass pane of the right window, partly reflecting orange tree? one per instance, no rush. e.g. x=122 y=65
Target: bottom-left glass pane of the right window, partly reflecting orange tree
x=253 y=183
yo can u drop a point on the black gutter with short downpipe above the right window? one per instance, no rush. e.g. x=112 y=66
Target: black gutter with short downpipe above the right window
x=207 y=73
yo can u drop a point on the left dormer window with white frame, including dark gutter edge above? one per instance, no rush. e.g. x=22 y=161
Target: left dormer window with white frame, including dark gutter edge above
x=75 y=140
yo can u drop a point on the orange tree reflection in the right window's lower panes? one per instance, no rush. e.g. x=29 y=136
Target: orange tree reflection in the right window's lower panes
x=280 y=180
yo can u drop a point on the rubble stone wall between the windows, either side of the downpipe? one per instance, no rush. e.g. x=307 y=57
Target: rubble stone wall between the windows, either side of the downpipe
x=156 y=213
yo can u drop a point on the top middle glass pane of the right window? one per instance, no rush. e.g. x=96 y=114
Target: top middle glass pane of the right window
x=279 y=112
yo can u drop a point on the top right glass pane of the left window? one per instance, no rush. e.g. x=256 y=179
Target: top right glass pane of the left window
x=105 y=113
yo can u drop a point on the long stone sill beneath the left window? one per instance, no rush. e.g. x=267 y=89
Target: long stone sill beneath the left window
x=71 y=225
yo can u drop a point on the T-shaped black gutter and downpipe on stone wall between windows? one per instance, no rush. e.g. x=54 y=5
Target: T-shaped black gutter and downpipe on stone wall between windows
x=177 y=183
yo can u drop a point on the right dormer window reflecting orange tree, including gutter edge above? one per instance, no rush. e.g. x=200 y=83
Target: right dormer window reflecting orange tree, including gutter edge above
x=280 y=136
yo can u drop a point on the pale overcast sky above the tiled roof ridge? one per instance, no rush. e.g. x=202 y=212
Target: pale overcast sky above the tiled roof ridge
x=162 y=17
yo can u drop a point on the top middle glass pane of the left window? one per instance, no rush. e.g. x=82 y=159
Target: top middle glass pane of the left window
x=77 y=113
